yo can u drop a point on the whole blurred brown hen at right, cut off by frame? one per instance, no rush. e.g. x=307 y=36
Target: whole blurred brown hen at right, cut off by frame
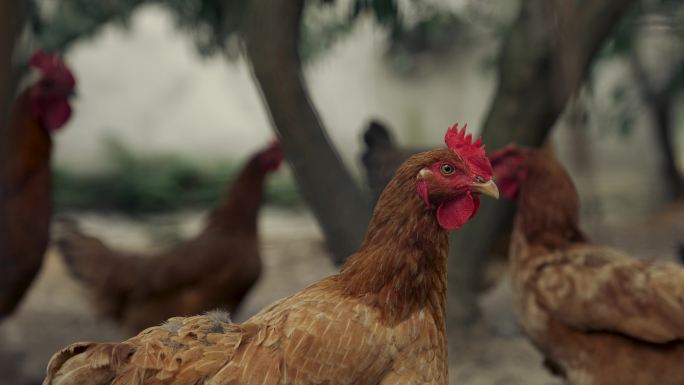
x=598 y=315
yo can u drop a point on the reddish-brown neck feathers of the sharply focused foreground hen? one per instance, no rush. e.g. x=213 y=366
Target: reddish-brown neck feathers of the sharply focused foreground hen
x=401 y=265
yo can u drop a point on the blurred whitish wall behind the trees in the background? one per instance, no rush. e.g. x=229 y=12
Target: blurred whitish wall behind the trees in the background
x=148 y=88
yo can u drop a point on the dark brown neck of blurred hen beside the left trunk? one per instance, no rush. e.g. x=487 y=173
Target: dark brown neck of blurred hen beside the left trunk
x=239 y=209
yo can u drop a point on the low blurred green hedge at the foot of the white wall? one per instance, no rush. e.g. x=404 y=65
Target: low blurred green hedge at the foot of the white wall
x=157 y=184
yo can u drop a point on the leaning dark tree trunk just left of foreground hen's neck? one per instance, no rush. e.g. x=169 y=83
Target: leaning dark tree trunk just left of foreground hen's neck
x=271 y=35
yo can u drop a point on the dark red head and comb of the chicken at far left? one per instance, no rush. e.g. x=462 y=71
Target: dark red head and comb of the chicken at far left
x=50 y=94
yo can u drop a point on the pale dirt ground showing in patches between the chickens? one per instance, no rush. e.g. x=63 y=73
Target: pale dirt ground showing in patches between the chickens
x=56 y=311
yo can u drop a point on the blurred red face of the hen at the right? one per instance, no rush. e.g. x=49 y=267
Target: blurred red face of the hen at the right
x=509 y=169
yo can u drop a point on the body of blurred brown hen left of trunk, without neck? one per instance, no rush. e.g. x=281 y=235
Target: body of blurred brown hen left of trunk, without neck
x=208 y=272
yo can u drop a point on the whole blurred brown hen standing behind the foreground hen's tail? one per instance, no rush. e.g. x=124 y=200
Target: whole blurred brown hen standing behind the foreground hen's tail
x=214 y=270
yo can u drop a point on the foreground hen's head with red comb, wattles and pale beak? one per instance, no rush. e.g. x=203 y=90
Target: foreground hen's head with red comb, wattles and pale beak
x=454 y=177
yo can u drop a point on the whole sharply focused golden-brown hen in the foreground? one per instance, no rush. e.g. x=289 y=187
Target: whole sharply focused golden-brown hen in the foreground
x=380 y=320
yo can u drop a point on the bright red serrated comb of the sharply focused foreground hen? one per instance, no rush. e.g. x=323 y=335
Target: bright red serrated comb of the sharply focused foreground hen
x=472 y=153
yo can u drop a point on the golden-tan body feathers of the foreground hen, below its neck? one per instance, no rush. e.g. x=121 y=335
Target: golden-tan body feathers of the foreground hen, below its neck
x=315 y=337
